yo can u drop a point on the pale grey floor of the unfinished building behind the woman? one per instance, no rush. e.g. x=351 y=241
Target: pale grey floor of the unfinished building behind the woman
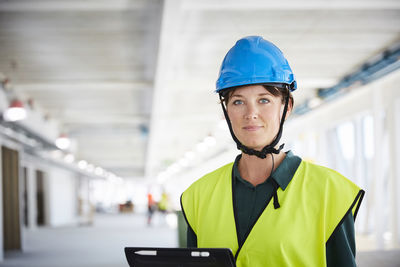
x=102 y=244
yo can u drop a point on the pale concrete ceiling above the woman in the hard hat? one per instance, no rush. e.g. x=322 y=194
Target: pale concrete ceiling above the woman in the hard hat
x=132 y=81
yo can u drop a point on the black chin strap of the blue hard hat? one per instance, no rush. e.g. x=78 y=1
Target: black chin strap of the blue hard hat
x=268 y=149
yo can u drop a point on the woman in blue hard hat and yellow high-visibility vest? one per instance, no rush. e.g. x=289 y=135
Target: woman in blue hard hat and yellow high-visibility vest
x=269 y=207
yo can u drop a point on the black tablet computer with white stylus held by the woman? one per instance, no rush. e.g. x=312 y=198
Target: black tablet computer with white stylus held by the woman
x=179 y=257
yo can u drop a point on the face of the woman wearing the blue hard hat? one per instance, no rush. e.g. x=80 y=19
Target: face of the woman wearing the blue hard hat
x=255 y=115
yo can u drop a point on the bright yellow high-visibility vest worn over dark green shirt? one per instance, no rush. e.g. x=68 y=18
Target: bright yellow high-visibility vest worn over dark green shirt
x=312 y=206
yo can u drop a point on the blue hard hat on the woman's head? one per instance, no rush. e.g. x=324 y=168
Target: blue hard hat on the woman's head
x=254 y=60
